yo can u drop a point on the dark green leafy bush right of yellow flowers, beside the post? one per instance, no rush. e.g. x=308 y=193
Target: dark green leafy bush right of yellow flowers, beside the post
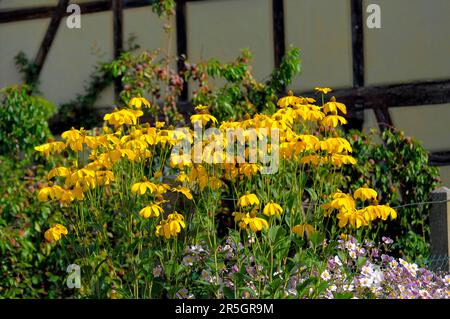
x=398 y=169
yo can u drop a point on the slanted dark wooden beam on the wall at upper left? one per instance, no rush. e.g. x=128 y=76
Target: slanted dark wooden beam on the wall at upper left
x=57 y=16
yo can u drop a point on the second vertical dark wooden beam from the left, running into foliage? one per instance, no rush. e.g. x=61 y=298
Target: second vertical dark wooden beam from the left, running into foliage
x=180 y=15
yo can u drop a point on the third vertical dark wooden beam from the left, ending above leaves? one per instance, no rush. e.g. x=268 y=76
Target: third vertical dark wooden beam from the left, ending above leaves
x=279 y=47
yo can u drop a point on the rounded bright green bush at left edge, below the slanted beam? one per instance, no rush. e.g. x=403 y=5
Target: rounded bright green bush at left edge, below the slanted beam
x=23 y=121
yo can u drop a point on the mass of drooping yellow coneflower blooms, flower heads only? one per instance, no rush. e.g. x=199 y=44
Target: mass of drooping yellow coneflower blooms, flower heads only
x=128 y=142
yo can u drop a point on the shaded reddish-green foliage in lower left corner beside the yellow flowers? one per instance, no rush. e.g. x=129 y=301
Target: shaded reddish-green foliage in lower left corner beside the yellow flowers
x=30 y=268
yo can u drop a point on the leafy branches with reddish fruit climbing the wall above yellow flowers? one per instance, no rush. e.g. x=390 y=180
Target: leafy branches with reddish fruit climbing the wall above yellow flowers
x=150 y=74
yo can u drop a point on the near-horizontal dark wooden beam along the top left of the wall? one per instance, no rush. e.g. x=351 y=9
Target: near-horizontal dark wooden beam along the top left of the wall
x=13 y=15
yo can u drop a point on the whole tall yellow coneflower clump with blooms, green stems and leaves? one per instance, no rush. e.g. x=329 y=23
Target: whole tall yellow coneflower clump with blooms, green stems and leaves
x=146 y=205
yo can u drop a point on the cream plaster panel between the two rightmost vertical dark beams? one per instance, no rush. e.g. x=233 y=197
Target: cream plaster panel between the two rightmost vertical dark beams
x=322 y=30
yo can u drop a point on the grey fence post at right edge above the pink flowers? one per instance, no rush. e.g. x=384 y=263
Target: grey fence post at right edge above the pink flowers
x=440 y=229
